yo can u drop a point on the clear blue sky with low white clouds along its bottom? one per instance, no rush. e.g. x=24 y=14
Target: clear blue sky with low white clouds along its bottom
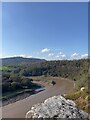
x=45 y=30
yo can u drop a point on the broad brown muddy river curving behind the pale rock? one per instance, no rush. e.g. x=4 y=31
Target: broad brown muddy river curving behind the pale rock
x=19 y=108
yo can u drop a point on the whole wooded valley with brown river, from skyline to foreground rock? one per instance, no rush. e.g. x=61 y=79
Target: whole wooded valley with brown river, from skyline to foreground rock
x=28 y=83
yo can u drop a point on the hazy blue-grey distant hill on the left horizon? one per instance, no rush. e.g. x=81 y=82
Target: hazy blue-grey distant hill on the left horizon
x=19 y=60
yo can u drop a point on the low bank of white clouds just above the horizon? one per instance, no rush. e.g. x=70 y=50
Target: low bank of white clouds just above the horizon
x=51 y=54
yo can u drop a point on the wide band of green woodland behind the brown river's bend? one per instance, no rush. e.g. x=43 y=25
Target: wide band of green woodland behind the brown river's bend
x=76 y=70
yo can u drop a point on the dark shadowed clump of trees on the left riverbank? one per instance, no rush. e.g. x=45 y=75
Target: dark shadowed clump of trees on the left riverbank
x=14 y=82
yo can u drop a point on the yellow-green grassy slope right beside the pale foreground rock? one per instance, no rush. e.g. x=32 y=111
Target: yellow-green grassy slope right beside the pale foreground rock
x=81 y=98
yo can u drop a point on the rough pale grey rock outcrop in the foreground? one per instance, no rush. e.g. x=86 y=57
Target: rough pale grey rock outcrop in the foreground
x=57 y=107
